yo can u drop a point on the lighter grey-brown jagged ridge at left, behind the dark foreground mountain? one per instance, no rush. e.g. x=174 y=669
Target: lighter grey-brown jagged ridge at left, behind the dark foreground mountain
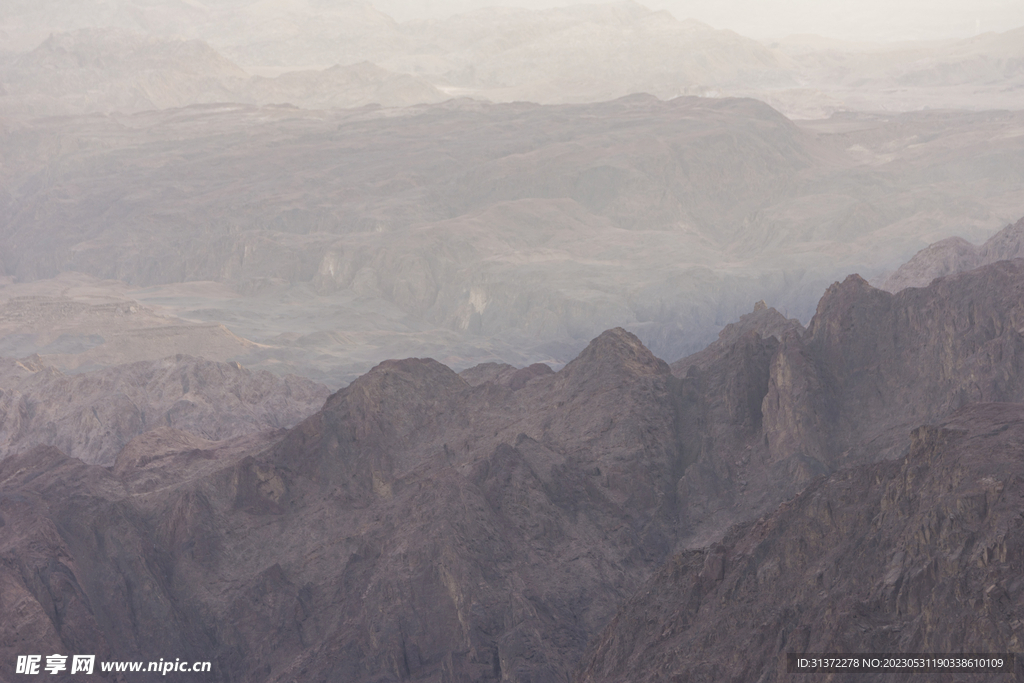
x=92 y=416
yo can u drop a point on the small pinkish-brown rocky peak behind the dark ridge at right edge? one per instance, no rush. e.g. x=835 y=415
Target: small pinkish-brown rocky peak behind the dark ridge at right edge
x=955 y=255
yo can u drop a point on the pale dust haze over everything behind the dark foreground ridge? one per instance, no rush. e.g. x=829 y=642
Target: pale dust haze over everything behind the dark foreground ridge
x=333 y=186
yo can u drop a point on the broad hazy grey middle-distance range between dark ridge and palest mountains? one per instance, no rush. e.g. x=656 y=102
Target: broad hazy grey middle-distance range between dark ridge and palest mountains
x=328 y=241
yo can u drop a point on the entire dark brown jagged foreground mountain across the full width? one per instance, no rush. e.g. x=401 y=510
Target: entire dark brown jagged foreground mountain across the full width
x=431 y=526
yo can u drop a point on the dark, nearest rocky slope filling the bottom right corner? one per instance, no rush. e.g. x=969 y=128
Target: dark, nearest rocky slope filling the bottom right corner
x=920 y=556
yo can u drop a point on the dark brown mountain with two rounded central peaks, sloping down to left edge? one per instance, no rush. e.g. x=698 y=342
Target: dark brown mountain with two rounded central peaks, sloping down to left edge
x=416 y=528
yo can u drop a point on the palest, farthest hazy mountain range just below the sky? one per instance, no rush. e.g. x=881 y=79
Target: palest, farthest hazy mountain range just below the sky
x=316 y=55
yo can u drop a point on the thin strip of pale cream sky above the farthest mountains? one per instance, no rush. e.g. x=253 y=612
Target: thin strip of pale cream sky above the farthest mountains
x=863 y=20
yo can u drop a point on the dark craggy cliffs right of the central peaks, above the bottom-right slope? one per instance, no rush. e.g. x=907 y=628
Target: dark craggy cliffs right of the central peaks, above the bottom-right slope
x=870 y=367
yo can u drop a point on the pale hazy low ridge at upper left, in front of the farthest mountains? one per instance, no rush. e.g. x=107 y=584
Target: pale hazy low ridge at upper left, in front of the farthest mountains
x=112 y=70
